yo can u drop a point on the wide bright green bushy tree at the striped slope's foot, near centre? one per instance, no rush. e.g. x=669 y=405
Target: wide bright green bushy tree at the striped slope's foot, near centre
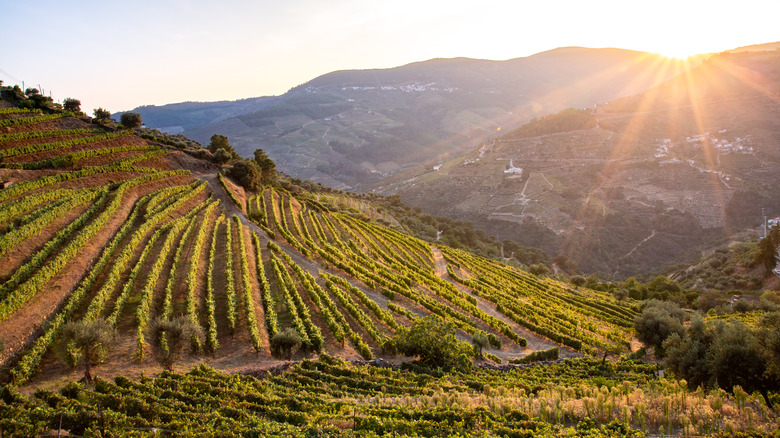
x=432 y=339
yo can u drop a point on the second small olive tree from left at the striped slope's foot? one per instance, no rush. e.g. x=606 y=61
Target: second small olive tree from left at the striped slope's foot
x=172 y=337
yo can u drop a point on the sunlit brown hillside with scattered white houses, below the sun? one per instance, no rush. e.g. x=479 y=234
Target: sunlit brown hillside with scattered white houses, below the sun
x=641 y=183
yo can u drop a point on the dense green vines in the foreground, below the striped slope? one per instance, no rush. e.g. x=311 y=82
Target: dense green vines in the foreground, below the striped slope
x=330 y=397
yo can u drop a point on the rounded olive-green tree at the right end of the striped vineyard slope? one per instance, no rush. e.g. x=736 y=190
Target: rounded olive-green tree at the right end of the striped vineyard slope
x=658 y=321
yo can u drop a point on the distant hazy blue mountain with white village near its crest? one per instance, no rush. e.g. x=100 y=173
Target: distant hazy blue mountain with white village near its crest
x=350 y=129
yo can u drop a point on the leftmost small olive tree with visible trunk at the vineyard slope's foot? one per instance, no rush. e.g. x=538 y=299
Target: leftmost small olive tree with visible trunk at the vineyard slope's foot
x=86 y=342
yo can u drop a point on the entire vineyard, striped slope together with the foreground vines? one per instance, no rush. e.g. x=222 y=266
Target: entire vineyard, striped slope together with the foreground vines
x=100 y=224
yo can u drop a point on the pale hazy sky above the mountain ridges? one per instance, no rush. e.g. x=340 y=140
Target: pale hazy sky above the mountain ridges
x=123 y=55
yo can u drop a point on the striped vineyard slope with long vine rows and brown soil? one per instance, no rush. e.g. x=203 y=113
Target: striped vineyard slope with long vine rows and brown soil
x=107 y=225
